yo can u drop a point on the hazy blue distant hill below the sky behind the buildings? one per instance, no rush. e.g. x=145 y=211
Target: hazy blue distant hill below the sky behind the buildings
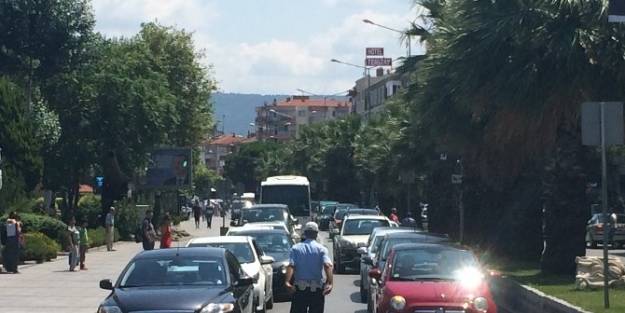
x=239 y=109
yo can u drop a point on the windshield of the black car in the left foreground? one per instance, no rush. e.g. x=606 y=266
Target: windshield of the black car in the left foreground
x=174 y=272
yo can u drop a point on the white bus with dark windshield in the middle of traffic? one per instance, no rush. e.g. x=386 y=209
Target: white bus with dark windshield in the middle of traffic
x=293 y=191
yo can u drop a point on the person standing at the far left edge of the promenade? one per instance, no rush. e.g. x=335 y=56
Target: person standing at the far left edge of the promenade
x=11 y=234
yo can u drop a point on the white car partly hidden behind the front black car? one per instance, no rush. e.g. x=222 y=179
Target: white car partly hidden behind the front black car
x=253 y=261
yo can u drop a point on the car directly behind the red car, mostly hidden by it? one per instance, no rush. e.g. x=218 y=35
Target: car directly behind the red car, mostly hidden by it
x=383 y=249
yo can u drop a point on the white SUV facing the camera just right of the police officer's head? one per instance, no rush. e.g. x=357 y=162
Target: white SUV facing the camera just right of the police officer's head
x=354 y=234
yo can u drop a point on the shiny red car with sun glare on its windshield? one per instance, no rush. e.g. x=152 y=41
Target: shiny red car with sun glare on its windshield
x=432 y=278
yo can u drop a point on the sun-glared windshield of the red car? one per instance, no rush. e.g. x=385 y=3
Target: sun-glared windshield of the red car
x=433 y=263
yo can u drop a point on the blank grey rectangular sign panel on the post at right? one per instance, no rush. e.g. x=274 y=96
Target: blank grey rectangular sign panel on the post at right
x=591 y=123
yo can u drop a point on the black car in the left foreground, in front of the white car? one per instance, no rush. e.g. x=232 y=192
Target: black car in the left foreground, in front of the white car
x=198 y=280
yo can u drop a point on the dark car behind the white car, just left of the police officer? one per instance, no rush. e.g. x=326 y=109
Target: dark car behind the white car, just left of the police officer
x=277 y=244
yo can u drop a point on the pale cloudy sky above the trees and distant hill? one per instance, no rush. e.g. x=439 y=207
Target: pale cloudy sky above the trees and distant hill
x=272 y=46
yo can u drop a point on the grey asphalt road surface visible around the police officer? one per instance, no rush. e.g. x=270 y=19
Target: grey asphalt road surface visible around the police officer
x=345 y=296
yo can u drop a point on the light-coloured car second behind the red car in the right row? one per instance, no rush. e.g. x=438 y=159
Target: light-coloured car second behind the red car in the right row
x=368 y=253
